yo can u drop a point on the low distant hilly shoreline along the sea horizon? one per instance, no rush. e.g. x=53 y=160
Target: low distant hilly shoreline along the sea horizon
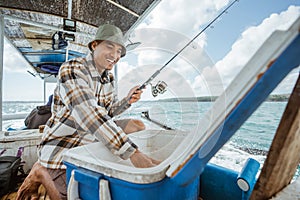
x=274 y=98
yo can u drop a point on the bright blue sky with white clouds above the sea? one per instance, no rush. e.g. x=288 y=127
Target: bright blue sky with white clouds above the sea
x=204 y=68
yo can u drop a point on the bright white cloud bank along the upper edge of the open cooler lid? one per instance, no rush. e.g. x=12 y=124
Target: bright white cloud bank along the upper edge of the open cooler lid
x=251 y=39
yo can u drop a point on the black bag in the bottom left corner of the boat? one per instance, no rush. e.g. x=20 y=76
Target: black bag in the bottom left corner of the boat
x=9 y=166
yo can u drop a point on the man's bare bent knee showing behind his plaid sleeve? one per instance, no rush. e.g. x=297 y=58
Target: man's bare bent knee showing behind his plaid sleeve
x=130 y=125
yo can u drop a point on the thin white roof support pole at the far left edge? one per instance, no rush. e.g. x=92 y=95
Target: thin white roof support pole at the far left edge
x=1 y=64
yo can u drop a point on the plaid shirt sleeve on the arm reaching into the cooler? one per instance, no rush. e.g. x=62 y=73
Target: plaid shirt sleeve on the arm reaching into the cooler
x=76 y=92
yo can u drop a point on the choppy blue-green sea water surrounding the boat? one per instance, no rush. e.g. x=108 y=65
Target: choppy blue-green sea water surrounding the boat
x=252 y=140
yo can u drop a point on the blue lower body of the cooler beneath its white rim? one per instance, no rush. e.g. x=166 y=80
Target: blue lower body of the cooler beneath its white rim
x=88 y=186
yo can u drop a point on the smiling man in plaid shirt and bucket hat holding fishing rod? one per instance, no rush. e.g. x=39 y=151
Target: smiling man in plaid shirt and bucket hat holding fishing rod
x=83 y=106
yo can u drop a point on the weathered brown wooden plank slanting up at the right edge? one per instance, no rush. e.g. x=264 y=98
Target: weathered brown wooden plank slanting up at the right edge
x=284 y=155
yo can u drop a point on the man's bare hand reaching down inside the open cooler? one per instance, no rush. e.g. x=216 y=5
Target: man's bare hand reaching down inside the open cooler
x=141 y=160
